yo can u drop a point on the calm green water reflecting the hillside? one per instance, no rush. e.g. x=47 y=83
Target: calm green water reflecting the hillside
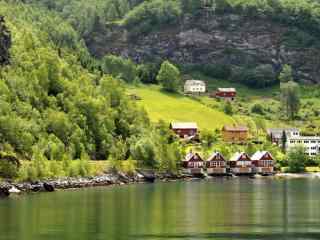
x=219 y=209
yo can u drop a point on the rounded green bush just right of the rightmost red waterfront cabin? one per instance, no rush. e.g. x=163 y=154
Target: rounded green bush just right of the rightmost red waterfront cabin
x=297 y=159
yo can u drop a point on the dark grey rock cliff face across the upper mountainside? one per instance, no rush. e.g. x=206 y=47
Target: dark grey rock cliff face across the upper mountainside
x=232 y=40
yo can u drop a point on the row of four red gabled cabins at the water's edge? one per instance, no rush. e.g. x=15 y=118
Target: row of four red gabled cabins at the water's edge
x=261 y=162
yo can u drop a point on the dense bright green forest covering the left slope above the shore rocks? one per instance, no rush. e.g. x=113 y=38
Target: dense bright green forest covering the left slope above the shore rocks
x=53 y=108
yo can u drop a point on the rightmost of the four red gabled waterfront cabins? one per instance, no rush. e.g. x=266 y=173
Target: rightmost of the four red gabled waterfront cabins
x=263 y=163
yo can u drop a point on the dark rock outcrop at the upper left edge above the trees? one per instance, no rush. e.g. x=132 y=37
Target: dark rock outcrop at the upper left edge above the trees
x=5 y=42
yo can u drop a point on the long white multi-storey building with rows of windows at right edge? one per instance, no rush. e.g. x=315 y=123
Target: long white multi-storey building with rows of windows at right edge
x=311 y=144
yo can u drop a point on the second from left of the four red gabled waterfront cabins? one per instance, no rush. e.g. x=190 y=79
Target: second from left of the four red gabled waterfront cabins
x=216 y=164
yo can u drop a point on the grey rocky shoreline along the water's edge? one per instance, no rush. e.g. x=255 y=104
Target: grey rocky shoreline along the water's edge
x=111 y=179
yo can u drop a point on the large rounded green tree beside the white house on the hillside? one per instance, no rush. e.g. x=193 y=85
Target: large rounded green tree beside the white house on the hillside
x=169 y=77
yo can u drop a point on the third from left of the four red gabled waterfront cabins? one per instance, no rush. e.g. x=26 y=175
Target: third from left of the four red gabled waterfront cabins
x=241 y=164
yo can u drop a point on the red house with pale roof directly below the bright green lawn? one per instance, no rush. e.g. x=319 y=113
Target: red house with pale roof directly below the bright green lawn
x=185 y=130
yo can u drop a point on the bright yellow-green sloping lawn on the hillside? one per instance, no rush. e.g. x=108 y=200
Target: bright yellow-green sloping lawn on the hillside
x=174 y=107
